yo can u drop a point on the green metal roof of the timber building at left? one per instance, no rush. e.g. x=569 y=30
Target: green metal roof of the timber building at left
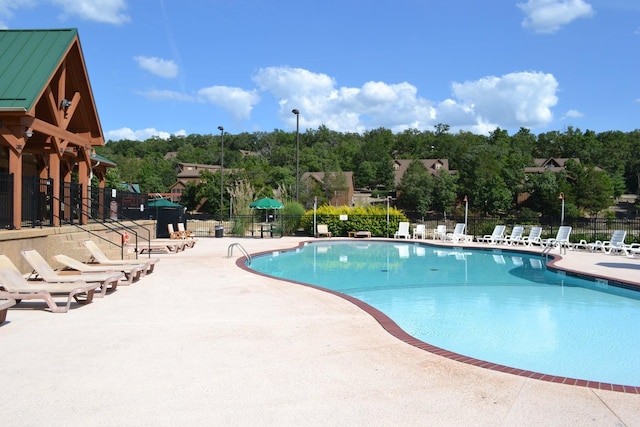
x=28 y=59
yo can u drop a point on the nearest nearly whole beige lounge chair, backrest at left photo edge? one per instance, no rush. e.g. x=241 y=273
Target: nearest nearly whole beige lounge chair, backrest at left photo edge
x=13 y=286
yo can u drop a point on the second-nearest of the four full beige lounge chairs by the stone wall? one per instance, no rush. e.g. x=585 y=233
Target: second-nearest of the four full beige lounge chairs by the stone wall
x=44 y=271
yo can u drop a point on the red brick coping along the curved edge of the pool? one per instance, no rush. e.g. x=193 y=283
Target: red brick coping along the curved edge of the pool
x=392 y=328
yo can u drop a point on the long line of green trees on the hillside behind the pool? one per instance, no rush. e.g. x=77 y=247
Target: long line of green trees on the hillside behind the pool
x=489 y=168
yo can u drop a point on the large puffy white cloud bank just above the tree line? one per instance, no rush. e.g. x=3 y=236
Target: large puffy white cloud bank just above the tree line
x=510 y=101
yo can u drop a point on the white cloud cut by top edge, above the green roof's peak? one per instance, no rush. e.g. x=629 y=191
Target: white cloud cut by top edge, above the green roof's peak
x=107 y=11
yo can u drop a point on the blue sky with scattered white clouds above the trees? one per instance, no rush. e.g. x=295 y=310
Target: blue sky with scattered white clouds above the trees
x=161 y=67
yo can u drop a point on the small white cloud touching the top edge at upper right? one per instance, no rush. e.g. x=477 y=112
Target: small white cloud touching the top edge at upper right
x=548 y=16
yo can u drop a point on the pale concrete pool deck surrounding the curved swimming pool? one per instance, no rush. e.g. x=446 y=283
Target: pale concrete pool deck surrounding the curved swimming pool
x=203 y=342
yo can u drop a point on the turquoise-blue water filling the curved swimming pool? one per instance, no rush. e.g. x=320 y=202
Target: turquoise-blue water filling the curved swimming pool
x=497 y=306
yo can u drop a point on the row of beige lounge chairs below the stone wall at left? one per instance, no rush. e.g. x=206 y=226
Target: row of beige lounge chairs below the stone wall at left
x=79 y=281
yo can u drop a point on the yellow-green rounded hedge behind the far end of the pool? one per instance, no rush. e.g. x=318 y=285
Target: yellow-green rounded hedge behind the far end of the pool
x=370 y=218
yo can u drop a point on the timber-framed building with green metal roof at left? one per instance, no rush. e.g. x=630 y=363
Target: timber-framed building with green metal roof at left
x=49 y=123
